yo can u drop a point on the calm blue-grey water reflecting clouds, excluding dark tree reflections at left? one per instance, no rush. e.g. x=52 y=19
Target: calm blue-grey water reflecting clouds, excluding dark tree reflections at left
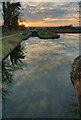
x=41 y=85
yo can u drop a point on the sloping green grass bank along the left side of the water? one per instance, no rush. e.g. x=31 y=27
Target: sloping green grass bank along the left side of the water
x=10 y=42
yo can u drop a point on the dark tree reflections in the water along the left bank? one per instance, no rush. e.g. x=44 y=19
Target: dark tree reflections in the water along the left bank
x=7 y=71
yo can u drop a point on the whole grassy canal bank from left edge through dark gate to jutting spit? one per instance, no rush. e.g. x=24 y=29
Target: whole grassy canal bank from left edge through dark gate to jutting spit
x=9 y=43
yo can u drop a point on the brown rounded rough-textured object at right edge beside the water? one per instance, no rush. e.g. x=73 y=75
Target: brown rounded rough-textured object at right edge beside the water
x=76 y=78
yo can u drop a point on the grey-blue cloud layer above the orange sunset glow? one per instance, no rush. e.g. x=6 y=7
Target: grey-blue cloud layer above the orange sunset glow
x=49 y=11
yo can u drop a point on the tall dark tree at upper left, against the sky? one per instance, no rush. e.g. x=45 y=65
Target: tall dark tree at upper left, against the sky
x=11 y=13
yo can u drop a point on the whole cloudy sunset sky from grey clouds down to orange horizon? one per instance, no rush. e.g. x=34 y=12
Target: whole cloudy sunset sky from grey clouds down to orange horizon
x=50 y=13
